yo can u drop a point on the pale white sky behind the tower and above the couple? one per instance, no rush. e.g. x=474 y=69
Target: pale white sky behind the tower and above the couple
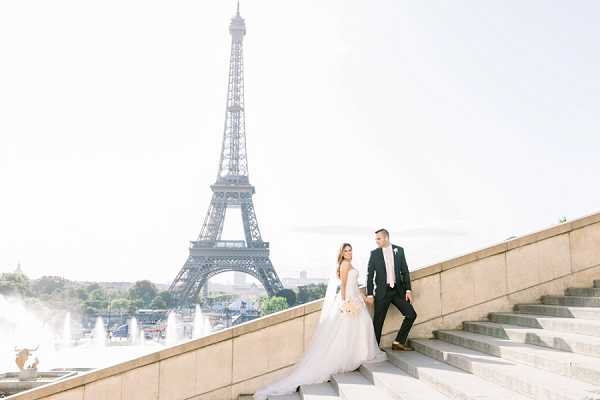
x=455 y=124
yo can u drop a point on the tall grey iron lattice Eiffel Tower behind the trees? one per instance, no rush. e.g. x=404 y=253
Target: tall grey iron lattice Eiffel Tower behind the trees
x=209 y=255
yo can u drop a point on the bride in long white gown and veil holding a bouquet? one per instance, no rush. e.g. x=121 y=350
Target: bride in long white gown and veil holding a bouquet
x=343 y=339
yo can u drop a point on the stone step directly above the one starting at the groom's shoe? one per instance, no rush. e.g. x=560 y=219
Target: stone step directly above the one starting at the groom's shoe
x=575 y=366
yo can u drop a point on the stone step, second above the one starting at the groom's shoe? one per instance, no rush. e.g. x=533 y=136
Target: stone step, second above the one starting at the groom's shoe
x=571 y=342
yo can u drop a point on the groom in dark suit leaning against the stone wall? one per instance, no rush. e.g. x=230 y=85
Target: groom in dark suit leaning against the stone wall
x=387 y=265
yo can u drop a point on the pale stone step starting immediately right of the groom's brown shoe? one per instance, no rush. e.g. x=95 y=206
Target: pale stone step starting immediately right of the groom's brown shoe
x=523 y=379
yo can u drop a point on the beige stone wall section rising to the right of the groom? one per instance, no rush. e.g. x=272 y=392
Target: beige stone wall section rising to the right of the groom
x=495 y=278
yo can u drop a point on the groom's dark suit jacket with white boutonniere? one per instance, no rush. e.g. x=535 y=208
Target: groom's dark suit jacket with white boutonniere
x=378 y=271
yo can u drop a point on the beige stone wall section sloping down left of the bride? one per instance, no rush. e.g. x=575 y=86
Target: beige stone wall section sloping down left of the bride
x=219 y=366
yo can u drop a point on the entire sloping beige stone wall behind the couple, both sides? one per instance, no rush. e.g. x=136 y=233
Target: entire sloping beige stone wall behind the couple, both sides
x=241 y=359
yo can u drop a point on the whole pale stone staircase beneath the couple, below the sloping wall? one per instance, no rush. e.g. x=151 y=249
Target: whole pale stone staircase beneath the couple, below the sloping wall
x=539 y=351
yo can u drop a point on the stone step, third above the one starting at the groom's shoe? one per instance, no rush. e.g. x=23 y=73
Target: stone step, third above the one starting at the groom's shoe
x=569 y=325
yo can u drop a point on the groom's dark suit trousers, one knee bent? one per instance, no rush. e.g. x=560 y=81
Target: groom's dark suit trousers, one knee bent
x=395 y=296
